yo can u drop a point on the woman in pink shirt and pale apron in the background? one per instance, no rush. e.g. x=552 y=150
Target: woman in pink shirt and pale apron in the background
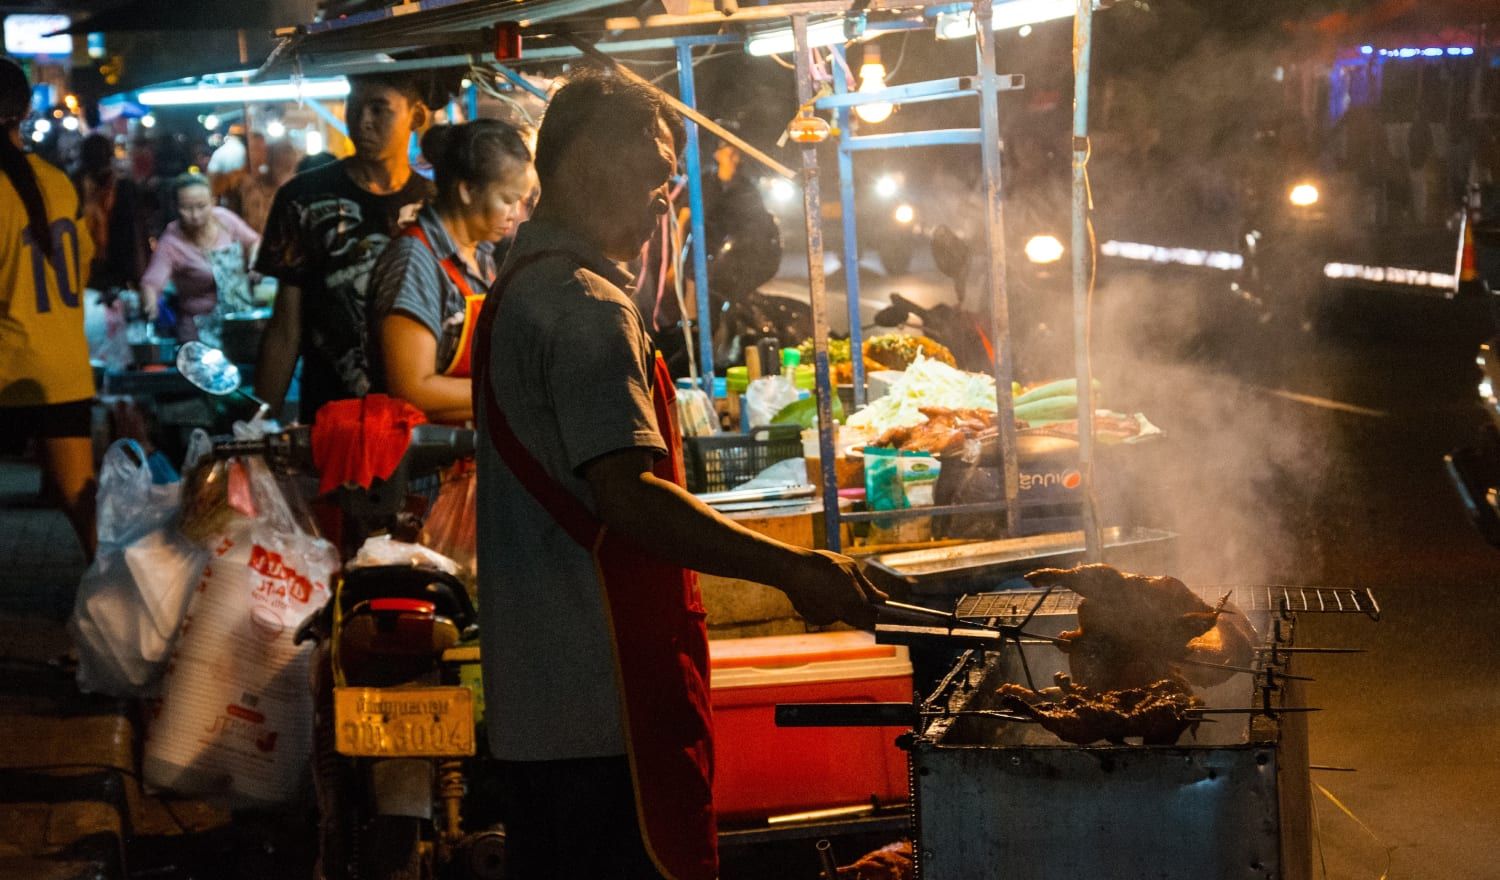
x=206 y=256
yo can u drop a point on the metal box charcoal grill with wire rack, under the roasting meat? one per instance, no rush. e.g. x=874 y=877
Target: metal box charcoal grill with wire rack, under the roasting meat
x=995 y=797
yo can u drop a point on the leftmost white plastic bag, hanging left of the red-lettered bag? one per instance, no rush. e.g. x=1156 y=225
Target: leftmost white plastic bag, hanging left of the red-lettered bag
x=133 y=597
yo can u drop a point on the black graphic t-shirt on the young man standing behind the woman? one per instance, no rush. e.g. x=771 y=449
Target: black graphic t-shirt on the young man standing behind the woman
x=325 y=236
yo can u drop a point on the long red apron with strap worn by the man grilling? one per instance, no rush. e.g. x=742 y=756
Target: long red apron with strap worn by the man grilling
x=661 y=639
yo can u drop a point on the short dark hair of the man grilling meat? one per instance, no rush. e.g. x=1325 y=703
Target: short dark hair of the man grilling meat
x=598 y=103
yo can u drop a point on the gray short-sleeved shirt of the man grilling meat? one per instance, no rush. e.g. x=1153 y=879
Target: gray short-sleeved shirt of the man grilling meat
x=572 y=373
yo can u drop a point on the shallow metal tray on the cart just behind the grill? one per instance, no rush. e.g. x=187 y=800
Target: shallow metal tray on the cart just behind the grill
x=1004 y=557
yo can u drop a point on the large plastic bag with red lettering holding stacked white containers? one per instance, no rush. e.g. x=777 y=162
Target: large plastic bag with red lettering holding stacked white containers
x=236 y=713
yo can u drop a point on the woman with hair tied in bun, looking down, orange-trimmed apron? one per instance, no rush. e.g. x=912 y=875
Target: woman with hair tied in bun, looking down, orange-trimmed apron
x=431 y=283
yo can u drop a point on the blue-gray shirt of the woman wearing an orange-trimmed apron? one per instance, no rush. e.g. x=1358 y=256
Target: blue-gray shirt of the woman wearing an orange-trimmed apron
x=409 y=280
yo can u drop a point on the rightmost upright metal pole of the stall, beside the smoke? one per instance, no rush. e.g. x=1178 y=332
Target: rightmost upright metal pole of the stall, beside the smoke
x=1082 y=271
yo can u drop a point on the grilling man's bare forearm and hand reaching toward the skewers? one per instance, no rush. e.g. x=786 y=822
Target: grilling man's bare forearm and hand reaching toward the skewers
x=665 y=518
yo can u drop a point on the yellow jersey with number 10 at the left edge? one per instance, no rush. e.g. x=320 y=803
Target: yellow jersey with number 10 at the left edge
x=44 y=356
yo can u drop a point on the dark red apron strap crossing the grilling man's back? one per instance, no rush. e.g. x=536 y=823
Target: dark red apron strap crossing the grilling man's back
x=562 y=506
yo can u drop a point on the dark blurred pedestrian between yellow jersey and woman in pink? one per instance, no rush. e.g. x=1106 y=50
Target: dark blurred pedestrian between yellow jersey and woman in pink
x=115 y=214
